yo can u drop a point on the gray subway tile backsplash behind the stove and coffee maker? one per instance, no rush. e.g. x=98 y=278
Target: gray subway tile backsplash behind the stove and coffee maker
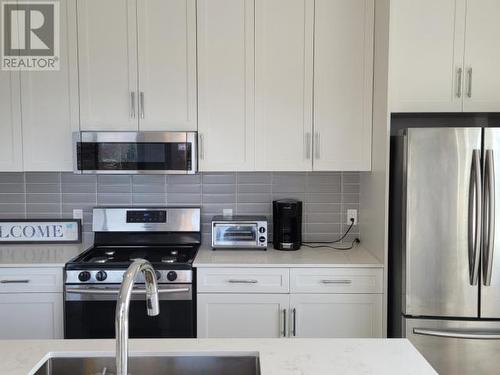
x=326 y=196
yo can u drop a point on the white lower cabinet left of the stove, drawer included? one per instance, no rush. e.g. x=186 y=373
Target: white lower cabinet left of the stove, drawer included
x=31 y=303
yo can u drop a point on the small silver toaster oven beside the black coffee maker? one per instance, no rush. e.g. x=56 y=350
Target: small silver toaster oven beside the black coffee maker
x=239 y=232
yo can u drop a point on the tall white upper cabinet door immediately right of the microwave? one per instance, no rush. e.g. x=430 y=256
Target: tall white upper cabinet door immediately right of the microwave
x=226 y=85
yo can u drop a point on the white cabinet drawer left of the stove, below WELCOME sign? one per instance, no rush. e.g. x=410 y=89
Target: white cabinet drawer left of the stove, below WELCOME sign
x=29 y=280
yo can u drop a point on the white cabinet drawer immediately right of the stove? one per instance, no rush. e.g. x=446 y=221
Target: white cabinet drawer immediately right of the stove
x=243 y=280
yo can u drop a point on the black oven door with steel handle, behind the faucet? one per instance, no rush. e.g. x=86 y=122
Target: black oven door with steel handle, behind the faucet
x=90 y=312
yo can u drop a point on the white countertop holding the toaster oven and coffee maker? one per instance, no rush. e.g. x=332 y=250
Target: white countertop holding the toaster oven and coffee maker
x=305 y=257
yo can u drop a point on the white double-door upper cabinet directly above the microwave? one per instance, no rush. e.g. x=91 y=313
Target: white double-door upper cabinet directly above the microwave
x=140 y=73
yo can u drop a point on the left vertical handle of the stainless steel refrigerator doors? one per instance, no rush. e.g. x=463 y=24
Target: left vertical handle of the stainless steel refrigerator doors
x=475 y=217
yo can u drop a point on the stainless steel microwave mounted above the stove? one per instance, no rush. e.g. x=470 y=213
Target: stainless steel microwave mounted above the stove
x=135 y=152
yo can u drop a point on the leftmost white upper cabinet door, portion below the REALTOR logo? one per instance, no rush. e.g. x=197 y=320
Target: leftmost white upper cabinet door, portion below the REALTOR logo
x=11 y=154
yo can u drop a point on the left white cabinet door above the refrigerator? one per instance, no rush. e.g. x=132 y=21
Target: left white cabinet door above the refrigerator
x=426 y=67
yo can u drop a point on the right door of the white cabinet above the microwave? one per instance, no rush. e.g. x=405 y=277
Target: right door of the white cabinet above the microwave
x=166 y=31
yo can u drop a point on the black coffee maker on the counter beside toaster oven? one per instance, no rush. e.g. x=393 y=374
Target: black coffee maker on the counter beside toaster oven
x=287 y=224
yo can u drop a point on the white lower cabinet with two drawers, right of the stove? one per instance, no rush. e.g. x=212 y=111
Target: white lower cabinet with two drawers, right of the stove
x=320 y=303
